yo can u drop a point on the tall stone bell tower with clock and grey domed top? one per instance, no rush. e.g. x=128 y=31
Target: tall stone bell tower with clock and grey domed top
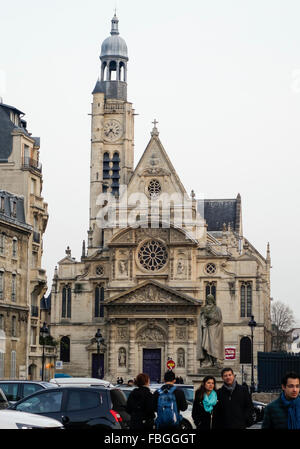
x=112 y=130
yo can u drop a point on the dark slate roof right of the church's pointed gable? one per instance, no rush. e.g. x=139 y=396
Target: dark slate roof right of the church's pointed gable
x=220 y=211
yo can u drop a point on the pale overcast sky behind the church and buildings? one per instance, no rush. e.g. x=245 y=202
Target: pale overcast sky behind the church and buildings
x=222 y=77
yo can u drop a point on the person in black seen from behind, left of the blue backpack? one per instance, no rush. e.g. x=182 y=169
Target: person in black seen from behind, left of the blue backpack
x=140 y=404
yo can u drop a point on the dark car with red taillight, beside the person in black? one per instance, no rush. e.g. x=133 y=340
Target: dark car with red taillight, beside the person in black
x=79 y=407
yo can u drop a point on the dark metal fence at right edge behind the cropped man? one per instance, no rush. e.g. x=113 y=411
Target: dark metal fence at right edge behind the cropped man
x=272 y=366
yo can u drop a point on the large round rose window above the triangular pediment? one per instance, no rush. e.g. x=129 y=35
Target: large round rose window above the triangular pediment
x=153 y=255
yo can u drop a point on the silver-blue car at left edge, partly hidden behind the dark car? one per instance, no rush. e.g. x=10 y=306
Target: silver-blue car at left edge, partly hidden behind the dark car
x=15 y=390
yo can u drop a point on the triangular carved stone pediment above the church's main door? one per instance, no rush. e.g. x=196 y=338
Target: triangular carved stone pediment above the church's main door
x=151 y=292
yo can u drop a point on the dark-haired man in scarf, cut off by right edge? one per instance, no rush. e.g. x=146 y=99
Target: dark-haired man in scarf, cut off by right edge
x=284 y=412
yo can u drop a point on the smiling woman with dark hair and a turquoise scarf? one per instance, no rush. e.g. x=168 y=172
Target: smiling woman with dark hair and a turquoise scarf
x=204 y=410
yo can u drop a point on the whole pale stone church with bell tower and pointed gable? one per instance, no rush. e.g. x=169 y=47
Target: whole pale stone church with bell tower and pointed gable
x=153 y=254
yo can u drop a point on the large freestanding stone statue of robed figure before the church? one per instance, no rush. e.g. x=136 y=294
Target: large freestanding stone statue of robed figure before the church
x=210 y=346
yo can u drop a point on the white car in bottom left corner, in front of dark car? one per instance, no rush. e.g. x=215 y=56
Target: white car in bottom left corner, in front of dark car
x=11 y=419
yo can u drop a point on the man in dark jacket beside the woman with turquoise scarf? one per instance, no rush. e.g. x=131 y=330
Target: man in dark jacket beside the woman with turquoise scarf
x=235 y=407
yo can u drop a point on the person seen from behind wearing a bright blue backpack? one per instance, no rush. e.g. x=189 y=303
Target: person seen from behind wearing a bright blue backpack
x=168 y=403
